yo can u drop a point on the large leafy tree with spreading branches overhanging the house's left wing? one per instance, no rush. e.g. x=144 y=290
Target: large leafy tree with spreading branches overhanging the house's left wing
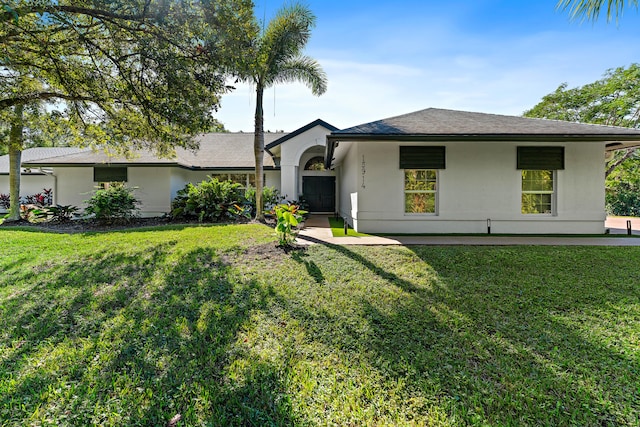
x=126 y=74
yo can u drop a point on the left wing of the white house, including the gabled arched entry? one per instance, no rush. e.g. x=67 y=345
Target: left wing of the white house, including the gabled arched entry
x=290 y=160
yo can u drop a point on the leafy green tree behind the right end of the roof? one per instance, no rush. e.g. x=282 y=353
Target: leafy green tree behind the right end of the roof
x=613 y=100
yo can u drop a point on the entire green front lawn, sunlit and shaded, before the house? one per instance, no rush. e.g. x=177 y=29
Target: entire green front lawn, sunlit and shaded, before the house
x=132 y=328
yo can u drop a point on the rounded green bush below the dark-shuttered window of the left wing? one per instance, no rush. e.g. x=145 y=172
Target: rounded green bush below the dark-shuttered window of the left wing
x=116 y=203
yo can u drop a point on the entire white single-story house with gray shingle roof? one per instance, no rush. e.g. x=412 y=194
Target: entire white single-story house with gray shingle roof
x=431 y=171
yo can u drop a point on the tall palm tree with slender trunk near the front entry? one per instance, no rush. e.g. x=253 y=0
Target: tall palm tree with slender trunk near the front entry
x=276 y=57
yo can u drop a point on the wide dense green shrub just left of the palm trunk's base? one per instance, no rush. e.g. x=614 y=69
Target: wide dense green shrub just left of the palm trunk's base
x=210 y=200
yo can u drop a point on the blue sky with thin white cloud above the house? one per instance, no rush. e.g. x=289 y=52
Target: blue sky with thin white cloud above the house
x=385 y=58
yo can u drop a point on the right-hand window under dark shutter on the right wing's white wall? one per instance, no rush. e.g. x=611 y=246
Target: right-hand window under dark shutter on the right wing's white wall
x=538 y=191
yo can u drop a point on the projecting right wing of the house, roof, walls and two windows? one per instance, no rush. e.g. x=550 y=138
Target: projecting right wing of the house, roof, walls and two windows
x=443 y=171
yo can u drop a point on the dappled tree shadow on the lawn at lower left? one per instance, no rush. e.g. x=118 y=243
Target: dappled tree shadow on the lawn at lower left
x=112 y=340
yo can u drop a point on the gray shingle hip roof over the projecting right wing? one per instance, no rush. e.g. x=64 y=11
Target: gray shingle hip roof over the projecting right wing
x=435 y=122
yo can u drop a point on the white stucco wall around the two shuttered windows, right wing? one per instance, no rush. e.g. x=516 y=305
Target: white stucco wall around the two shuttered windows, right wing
x=480 y=182
